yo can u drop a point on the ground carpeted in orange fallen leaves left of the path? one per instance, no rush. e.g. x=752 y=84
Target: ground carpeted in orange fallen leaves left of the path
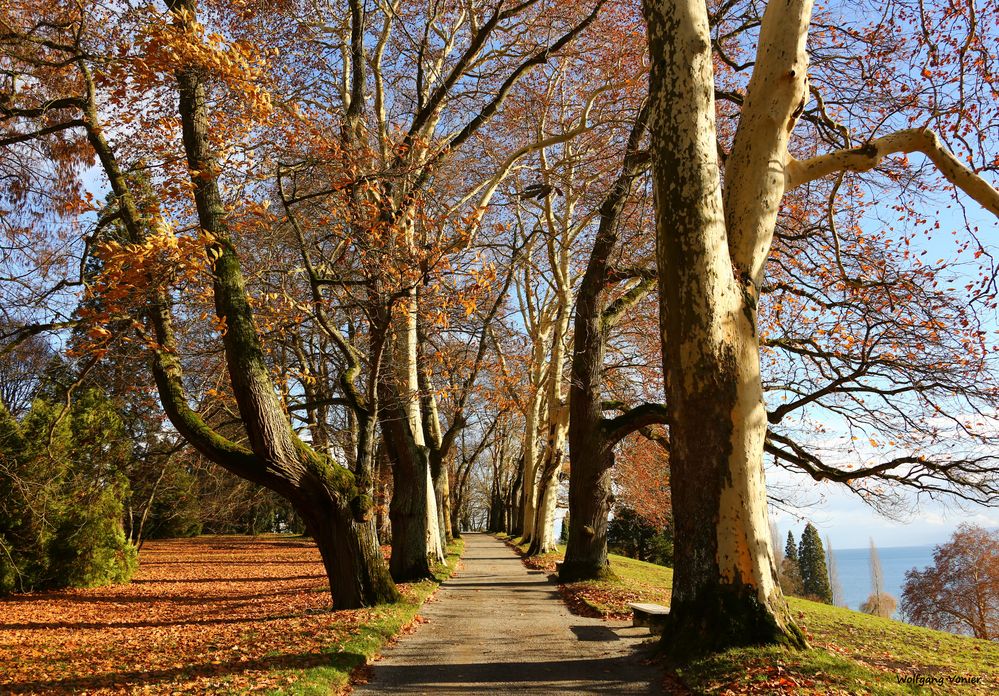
x=203 y=615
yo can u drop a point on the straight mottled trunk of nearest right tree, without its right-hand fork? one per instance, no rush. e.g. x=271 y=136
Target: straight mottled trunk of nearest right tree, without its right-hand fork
x=725 y=590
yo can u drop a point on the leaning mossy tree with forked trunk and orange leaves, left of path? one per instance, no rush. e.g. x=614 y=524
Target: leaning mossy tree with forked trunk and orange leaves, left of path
x=140 y=279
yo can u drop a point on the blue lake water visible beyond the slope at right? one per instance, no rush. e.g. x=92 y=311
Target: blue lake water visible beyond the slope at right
x=854 y=570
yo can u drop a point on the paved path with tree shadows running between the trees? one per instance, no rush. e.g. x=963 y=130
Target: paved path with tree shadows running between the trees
x=498 y=628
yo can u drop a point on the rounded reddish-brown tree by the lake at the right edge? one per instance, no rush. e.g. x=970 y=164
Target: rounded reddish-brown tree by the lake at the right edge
x=959 y=592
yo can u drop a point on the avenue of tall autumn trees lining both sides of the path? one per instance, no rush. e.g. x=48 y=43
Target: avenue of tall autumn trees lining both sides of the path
x=413 y=266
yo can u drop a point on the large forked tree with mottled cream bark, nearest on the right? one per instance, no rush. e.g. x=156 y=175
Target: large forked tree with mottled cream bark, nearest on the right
x=713 y=246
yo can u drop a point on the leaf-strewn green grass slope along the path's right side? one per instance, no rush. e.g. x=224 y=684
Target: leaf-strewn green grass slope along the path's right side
x=852 y=653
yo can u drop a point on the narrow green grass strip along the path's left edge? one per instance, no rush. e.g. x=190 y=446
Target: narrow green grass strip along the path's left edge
x=367 y=639
